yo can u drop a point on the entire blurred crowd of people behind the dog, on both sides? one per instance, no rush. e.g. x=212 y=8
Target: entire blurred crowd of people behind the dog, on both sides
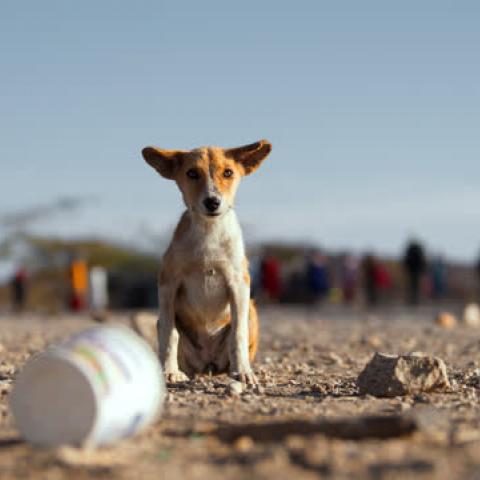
x=308 y=276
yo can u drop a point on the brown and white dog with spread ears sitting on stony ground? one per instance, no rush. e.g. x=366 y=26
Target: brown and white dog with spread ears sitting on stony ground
x=207 y=322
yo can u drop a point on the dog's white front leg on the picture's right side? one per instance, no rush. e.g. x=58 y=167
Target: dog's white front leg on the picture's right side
x=240 y=368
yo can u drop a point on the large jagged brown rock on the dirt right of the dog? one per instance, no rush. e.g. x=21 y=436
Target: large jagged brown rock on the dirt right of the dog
x=392 y=376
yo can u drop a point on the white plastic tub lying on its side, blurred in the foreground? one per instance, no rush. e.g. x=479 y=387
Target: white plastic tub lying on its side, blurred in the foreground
x=100 y=385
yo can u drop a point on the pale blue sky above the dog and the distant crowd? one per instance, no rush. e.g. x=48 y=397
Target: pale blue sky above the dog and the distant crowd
x=373 y=109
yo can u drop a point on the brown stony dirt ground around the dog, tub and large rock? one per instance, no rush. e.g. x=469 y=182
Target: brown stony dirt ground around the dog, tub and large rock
x=306 y=420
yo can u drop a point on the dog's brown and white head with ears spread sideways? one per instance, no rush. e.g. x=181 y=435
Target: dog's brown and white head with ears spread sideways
x=208 y=177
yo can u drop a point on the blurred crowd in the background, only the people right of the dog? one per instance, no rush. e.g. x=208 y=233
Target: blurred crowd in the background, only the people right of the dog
x=353 y=279
